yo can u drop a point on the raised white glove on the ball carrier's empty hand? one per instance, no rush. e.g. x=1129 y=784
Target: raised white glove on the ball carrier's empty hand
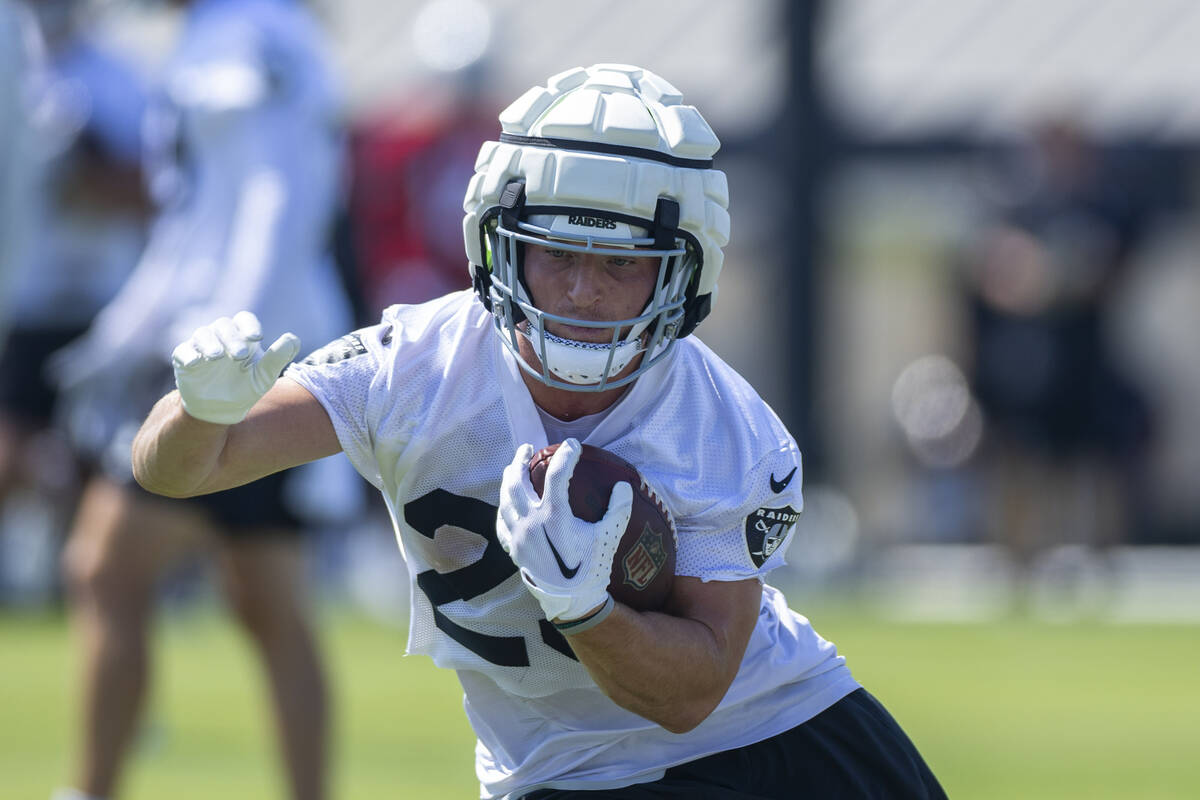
x=221 y=370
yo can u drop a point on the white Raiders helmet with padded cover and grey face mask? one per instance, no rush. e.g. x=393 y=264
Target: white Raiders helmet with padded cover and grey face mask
x=601 y=160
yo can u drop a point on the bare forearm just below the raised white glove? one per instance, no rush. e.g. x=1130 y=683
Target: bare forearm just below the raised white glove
x=175 y=454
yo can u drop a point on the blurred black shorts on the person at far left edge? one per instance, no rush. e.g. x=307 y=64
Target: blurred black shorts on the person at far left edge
x=25 y=390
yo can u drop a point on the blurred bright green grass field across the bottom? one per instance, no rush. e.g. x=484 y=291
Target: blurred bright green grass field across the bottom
x=1010 y=711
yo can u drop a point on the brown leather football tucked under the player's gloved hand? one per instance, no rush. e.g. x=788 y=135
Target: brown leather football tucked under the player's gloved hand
x=644 y=567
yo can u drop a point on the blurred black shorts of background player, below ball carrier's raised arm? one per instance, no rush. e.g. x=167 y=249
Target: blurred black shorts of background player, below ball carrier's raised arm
x=245 y=513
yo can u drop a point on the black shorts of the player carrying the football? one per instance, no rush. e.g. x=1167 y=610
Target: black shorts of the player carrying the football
x=853 y=750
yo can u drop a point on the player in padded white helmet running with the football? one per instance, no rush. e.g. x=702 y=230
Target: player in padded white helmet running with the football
x=595 y=230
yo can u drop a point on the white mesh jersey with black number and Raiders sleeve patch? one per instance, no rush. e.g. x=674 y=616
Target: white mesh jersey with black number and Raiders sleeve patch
x=416 y=406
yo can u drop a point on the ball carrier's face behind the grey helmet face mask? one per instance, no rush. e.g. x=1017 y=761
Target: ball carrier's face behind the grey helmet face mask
x=589 y=286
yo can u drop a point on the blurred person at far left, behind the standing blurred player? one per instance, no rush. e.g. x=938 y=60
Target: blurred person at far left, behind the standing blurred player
x=91 y=210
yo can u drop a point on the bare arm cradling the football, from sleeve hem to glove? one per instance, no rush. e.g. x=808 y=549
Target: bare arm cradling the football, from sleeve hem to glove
x=675 y=667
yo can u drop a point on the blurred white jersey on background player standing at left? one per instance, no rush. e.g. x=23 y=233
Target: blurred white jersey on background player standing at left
x=244 y=159
